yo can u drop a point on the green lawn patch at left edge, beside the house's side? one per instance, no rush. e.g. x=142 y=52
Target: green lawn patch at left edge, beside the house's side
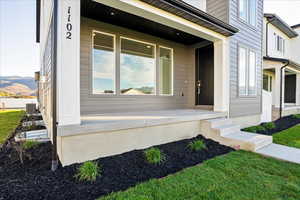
x=9 y=120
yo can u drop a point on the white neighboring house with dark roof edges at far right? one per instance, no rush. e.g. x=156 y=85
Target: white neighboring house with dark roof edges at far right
x=281 y=59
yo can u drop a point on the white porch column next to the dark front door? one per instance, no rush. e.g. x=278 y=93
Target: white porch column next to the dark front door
x=221 y=75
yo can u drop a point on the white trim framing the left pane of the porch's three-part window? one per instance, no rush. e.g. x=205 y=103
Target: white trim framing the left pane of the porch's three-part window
x=115 y=63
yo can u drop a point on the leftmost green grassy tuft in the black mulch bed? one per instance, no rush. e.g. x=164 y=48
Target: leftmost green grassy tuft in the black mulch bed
x=88 y=171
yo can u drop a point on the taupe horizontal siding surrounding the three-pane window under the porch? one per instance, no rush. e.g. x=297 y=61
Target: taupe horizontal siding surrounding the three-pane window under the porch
x=183 y=78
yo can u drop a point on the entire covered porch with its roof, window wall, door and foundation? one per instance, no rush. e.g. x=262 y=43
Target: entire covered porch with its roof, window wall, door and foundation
x=141 y=77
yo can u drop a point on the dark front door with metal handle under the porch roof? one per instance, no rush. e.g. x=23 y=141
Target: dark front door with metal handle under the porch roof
x=205 y=75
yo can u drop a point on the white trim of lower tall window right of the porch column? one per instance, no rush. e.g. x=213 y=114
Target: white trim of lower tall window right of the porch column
x=248 y=50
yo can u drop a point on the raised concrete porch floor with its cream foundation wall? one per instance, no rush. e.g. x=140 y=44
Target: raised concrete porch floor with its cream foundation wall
x=116 y=133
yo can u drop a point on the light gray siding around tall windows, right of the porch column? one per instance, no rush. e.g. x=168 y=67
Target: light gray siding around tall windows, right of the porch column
x=250 y=37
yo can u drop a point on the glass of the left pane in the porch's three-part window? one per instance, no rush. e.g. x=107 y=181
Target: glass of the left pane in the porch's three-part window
x=103 y=63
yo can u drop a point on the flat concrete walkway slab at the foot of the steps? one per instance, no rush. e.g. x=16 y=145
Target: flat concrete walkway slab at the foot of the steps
x=281 y=152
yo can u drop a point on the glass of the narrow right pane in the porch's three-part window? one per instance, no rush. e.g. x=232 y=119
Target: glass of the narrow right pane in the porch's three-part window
x=165 y=71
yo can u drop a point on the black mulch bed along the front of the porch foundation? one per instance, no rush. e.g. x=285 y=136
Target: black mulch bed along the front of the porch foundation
x=34 y=180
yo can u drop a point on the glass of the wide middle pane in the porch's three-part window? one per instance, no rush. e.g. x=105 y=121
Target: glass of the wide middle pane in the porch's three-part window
x=137 y=68
